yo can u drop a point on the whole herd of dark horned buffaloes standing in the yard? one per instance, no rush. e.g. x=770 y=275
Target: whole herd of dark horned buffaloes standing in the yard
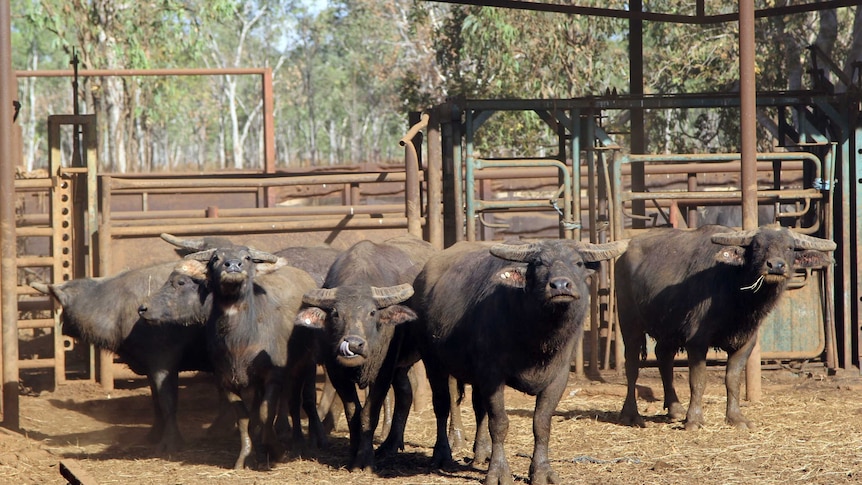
x=490 y=315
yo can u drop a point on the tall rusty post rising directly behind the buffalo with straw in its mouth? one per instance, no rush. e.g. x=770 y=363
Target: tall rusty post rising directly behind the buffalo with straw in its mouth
x=748 y=126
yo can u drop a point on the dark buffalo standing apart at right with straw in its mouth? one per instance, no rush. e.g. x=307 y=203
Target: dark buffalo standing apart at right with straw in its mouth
x=693 y=290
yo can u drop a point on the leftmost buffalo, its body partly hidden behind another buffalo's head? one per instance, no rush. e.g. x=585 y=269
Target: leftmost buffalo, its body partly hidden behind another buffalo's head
x=104 y=312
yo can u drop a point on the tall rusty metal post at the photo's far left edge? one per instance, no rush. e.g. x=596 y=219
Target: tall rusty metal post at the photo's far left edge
x=8 y=265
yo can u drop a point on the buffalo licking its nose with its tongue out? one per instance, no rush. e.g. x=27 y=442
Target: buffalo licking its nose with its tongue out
x=360 y=310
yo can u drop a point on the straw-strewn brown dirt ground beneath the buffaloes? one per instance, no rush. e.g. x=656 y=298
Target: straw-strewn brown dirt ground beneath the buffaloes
x=809 y=431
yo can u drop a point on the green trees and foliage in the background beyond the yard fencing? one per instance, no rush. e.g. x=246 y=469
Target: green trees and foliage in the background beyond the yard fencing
x=346 y=75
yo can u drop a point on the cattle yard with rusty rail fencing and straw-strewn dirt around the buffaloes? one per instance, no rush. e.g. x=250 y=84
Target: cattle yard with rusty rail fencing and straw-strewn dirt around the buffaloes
x=82 y=406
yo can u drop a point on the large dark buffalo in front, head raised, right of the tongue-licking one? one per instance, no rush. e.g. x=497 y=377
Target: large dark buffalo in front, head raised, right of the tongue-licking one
x=504 y=315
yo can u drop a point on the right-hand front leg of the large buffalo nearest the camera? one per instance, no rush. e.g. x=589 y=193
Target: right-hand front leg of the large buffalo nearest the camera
x=541 y=472
